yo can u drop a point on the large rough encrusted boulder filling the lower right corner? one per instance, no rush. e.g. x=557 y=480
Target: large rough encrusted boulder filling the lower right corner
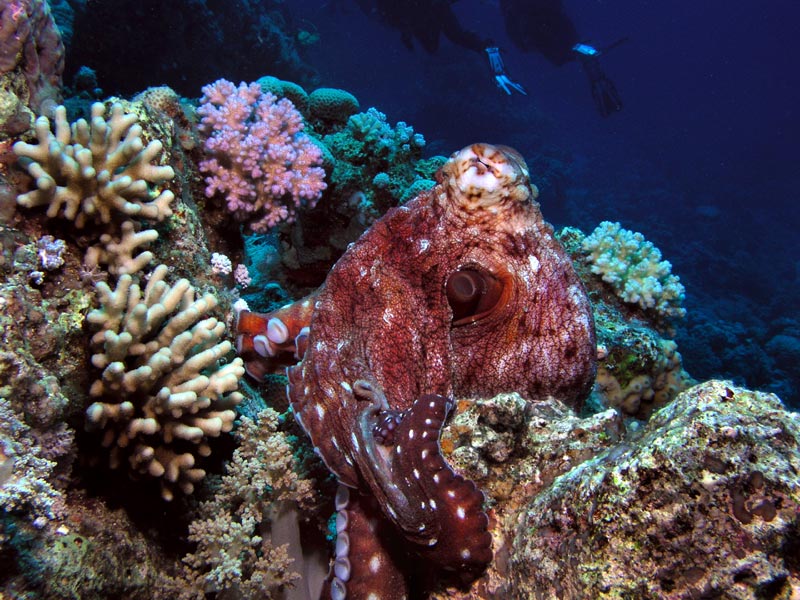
x=704 y=501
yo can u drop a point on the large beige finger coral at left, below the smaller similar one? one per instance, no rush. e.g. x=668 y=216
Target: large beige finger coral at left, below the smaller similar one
x=162 y=392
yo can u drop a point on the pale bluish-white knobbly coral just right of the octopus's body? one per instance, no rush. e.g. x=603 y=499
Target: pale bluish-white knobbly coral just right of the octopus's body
x=634 y=268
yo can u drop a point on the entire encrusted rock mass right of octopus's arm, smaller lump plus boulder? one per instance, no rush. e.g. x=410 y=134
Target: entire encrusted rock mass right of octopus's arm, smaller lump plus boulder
x=702 y=500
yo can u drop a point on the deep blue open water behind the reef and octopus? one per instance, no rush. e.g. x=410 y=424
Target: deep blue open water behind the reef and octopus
x=703 y=159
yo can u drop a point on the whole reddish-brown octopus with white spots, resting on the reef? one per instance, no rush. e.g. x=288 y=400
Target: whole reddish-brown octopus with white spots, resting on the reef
x=462 y=292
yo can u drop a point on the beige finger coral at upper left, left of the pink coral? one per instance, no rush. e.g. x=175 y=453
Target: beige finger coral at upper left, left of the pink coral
x=95 y=172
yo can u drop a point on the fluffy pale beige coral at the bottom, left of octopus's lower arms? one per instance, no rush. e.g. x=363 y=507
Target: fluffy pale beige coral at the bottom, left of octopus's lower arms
x=233 y=552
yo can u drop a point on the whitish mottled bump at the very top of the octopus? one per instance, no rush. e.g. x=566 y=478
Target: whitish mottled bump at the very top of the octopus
x=486 y=177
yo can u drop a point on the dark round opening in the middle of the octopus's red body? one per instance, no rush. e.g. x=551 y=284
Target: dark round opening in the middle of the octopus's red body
x=473 y=294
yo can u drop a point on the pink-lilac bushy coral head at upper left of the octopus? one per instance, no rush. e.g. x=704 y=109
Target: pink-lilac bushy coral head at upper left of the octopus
x=260 y=159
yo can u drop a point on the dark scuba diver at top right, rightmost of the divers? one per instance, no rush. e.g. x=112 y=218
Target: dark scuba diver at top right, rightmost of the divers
x=542 y=26
